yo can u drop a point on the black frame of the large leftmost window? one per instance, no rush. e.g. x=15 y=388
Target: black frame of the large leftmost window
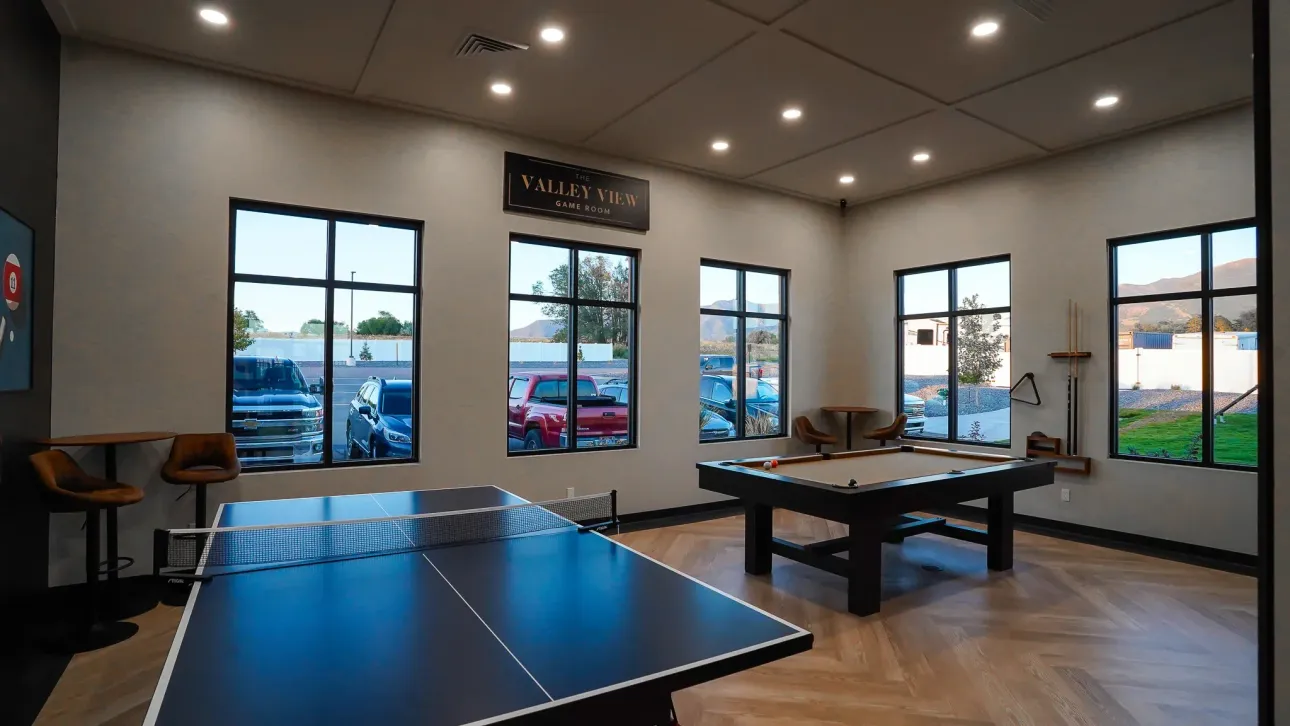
x=330 y=284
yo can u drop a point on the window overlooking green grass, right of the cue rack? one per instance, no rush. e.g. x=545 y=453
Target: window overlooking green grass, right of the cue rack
x=1185 y=328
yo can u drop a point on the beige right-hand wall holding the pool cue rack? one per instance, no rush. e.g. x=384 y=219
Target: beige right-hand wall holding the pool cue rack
x=1055 y=219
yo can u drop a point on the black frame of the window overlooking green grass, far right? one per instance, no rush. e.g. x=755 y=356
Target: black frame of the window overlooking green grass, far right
x=1206 y=296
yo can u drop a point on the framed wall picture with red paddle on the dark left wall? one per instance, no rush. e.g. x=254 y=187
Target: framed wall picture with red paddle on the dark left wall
x=16 y=250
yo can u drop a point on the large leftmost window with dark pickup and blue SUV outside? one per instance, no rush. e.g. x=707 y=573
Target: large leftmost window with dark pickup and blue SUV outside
x=323 y=336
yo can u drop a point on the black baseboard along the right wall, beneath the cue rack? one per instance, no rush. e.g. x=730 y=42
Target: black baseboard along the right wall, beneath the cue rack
x=1184 y=553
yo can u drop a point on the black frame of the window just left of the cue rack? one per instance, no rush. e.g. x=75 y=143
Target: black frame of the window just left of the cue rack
x=951 y=317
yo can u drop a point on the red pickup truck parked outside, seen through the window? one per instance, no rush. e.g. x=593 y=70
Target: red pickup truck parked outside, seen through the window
x=539 y=404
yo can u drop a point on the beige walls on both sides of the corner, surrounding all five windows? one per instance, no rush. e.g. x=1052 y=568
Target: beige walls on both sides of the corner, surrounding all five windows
x=152 y=152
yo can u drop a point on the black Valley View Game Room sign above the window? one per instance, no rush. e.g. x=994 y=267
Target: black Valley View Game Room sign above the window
x=553 y=189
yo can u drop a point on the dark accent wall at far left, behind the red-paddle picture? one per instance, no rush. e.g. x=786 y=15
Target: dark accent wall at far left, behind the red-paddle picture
x=29 y=172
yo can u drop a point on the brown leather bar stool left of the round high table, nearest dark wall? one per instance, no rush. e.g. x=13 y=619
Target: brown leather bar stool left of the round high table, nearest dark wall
x=69 y=489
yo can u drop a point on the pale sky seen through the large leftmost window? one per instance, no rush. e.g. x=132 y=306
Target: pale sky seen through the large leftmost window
x=296 y=247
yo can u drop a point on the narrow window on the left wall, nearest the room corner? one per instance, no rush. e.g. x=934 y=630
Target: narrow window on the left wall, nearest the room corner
x=744 y=351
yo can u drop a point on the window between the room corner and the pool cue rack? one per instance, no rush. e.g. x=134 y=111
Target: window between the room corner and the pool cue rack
x=954 y=344
